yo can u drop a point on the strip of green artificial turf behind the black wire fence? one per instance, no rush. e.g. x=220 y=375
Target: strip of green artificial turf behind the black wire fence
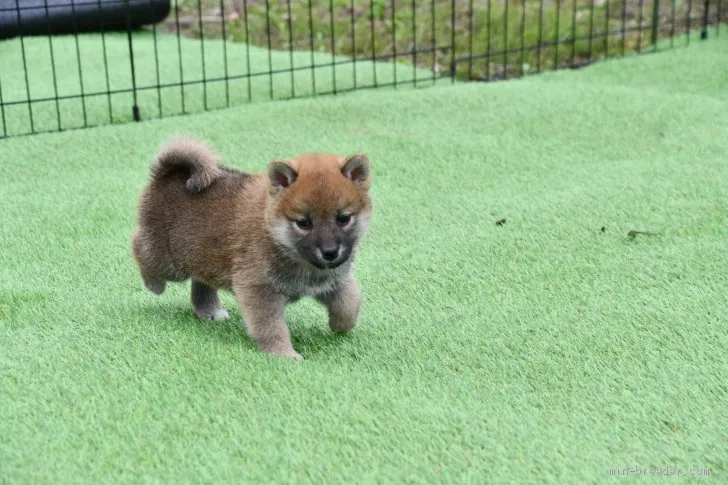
x=93 y=65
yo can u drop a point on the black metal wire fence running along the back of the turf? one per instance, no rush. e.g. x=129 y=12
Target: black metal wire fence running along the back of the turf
x=76 y=63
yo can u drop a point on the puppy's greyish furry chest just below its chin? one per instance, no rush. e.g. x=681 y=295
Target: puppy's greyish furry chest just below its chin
x=297 y=282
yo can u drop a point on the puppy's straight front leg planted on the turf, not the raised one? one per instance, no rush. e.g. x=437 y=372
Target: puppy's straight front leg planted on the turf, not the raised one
x=264 y=313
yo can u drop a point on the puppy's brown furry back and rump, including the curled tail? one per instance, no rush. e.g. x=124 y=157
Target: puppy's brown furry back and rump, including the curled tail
x=187 y=214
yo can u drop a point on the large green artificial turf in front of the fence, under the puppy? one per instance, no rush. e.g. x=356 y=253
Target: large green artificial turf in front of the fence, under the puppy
x=543 y=350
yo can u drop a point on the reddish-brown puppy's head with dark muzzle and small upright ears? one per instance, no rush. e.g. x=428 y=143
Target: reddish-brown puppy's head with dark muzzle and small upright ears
x=319 y=206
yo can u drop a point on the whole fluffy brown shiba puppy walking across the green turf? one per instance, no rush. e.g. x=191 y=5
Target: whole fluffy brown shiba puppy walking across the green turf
x=270 y=238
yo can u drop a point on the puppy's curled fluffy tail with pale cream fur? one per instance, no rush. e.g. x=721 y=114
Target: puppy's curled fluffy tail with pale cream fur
x=191 y=157
